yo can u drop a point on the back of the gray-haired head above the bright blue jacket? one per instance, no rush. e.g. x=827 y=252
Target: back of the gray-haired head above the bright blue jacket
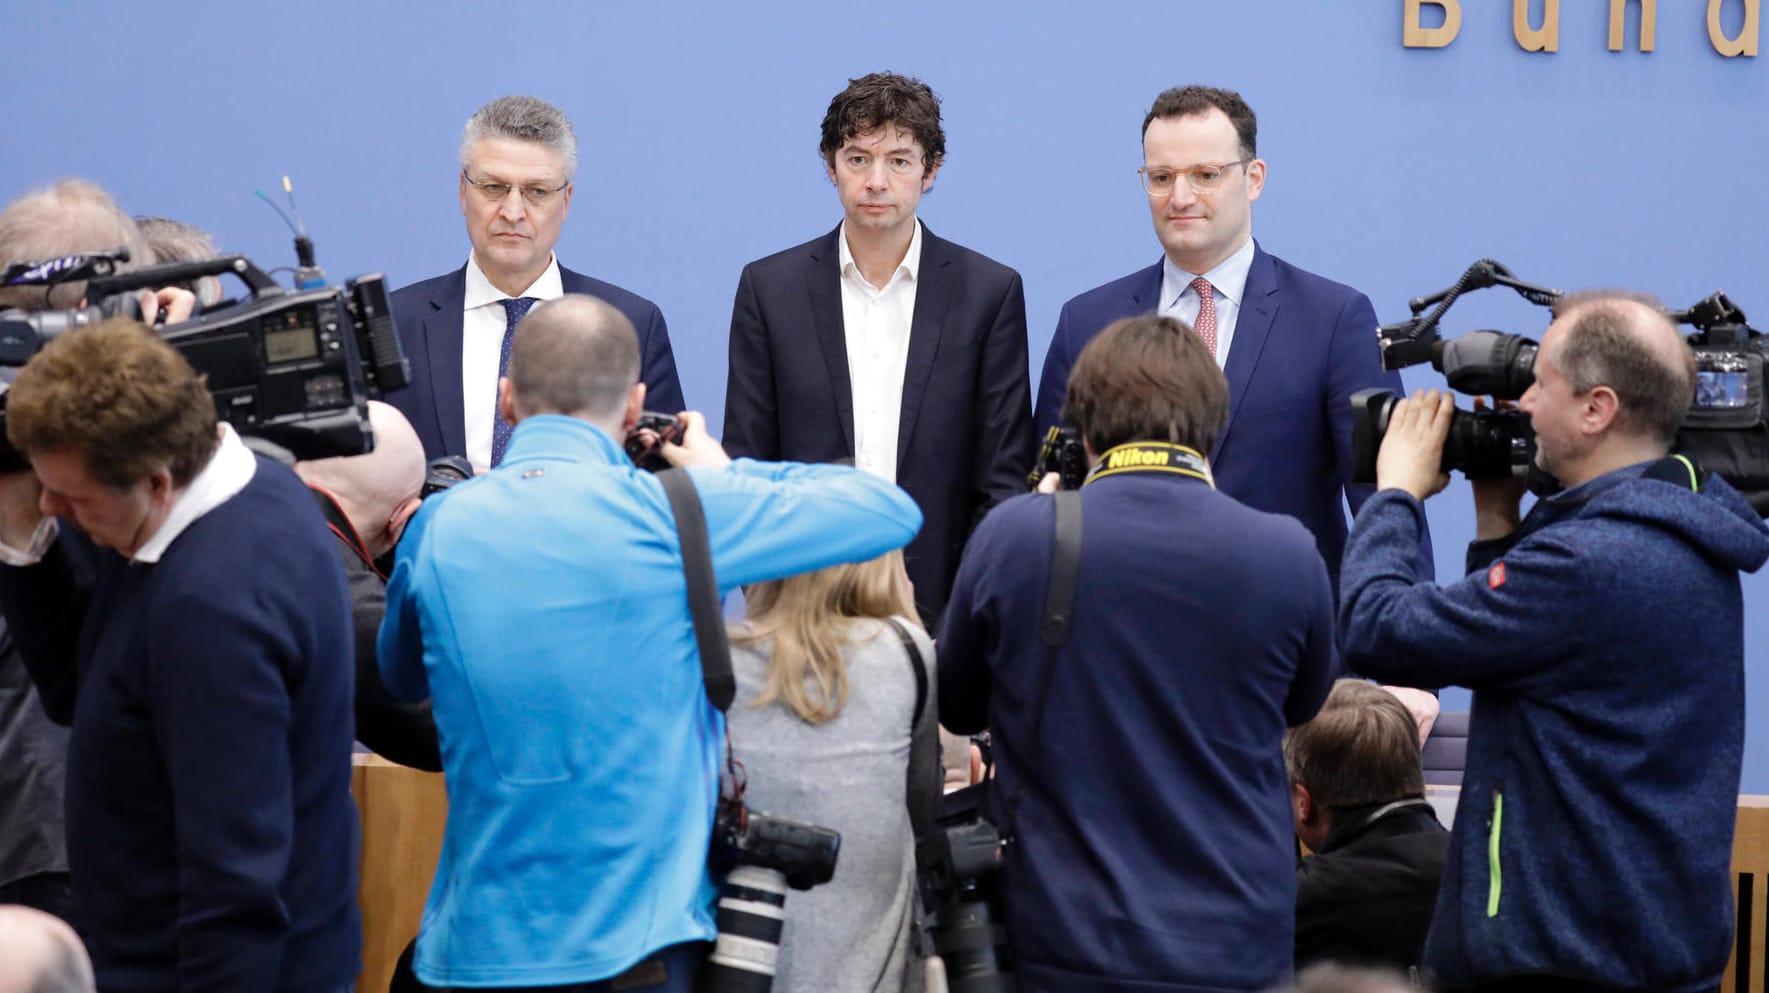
x=574 y=357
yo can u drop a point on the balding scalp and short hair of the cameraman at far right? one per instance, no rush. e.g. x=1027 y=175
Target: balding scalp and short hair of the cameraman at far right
x=1627 y=343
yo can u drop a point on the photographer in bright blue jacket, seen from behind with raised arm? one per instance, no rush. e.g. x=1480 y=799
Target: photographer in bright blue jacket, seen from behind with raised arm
x=544 y=612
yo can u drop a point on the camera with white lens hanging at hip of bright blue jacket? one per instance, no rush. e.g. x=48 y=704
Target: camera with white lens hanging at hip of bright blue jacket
x=762 y=858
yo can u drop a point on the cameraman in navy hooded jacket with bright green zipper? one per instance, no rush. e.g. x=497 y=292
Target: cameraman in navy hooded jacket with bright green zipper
x=1604 y=636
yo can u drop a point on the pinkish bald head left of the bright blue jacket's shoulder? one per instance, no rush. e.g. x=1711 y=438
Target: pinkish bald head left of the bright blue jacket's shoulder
x=372 y=489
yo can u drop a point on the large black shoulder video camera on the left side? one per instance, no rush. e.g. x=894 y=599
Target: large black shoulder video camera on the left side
x=293 y=367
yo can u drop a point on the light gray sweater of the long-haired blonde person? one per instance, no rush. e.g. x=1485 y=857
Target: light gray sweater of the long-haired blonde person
x=861 y=776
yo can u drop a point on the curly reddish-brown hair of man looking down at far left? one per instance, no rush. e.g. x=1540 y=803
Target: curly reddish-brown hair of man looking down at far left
x=121 y=397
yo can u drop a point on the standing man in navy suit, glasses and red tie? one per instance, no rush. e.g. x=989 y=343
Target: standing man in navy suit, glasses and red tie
x=1292 y=344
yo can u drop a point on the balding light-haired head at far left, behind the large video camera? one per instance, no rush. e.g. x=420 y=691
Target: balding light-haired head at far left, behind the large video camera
x=63 y=220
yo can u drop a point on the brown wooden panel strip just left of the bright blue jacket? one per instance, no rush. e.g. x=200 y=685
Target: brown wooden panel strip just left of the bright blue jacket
x=402 y=815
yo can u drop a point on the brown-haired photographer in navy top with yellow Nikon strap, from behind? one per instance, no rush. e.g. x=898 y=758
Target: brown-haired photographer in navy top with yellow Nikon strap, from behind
x=1142 y=778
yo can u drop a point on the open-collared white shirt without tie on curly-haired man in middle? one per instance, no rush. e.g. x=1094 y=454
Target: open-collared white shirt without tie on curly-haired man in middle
x=877 y=323
